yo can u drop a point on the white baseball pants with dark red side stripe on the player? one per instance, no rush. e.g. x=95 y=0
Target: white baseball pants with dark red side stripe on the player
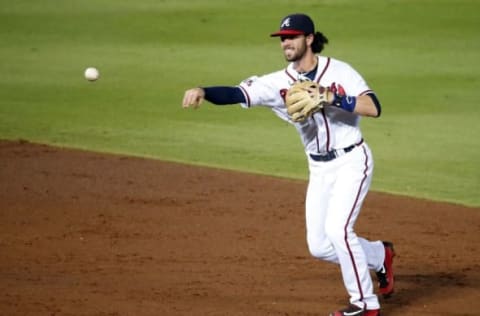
x=336 y=191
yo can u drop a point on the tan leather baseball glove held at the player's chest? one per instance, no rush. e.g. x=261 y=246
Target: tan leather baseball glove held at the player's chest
x=305 y=98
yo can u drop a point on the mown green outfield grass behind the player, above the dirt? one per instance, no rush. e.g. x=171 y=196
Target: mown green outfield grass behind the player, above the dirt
x=421 y=57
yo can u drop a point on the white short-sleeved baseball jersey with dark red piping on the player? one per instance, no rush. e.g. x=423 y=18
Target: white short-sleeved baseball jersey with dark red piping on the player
x=333 y=128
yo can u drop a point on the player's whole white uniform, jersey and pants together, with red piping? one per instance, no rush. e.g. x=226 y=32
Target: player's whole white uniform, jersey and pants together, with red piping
x=337 y=187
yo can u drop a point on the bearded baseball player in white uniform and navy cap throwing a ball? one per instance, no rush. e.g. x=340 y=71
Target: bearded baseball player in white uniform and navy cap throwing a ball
x=326 y=114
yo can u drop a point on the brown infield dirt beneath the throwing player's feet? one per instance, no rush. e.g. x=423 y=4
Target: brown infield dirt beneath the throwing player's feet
x=85 y=233
